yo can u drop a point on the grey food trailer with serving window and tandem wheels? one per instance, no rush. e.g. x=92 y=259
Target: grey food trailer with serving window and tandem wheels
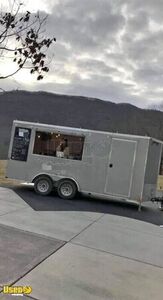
x=99 y=164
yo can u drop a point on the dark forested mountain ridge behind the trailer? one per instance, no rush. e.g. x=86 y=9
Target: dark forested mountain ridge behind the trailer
x=75 y=111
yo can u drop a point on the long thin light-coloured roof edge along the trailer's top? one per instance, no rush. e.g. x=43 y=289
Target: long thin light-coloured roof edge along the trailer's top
x=80 y=130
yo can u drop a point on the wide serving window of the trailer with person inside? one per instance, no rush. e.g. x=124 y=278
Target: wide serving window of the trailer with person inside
x=58 y=145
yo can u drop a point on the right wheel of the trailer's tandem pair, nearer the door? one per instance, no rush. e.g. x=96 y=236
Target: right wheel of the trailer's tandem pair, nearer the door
x=66 y=189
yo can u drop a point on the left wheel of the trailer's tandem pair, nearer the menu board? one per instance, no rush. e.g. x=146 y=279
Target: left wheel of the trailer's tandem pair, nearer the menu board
x=43 y=185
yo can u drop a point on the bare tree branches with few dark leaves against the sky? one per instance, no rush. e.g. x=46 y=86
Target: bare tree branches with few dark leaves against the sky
x=22 y=36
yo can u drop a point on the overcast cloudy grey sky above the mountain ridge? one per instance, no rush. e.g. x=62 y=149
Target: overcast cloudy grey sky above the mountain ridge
x=111 y=50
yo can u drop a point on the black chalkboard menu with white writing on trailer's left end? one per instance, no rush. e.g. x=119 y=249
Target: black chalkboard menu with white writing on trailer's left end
x=21 y=144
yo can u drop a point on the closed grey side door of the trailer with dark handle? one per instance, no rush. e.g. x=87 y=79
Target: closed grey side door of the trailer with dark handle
x=120 y=167
